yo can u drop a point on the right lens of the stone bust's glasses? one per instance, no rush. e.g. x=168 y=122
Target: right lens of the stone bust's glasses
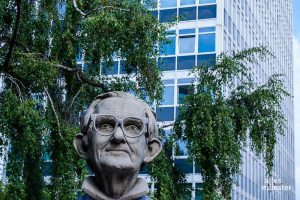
x=133 y=126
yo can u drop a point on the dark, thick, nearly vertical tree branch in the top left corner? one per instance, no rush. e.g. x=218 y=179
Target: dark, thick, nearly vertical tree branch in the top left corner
x=14 y=36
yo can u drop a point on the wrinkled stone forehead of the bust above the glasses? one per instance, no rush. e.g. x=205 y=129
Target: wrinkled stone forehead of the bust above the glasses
x=121 y=107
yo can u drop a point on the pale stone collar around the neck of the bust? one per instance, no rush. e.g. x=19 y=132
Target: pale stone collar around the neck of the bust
x=90 y=188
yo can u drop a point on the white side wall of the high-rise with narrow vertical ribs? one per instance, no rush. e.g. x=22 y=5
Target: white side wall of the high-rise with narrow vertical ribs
x=250 y=23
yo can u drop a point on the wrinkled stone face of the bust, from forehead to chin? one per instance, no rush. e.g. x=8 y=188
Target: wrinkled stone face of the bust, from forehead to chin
x=110 y=148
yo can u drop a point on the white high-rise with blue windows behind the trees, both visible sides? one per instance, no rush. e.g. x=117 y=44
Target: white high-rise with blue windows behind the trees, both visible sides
x=233 y=25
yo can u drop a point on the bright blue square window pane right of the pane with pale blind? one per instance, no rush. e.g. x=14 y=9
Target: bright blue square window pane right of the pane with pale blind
x=207 y=43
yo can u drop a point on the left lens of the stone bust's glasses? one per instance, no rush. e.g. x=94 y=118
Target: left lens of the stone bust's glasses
x=105 y=124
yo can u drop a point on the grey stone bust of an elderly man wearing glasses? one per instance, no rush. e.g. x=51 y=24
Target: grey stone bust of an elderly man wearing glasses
x=118 y=137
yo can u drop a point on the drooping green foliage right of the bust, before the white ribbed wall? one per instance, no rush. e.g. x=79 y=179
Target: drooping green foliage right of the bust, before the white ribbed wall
x=216 y=125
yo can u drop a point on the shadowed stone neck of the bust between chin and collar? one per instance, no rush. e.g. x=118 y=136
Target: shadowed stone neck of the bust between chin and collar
x=116 y=184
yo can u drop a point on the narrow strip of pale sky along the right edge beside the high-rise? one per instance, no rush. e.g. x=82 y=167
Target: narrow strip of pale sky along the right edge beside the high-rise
x=297 y=92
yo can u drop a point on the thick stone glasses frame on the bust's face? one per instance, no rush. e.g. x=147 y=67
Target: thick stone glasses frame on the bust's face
x=119 y=121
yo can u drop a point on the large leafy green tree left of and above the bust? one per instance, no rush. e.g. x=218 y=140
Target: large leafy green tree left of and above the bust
x=44 y=90
